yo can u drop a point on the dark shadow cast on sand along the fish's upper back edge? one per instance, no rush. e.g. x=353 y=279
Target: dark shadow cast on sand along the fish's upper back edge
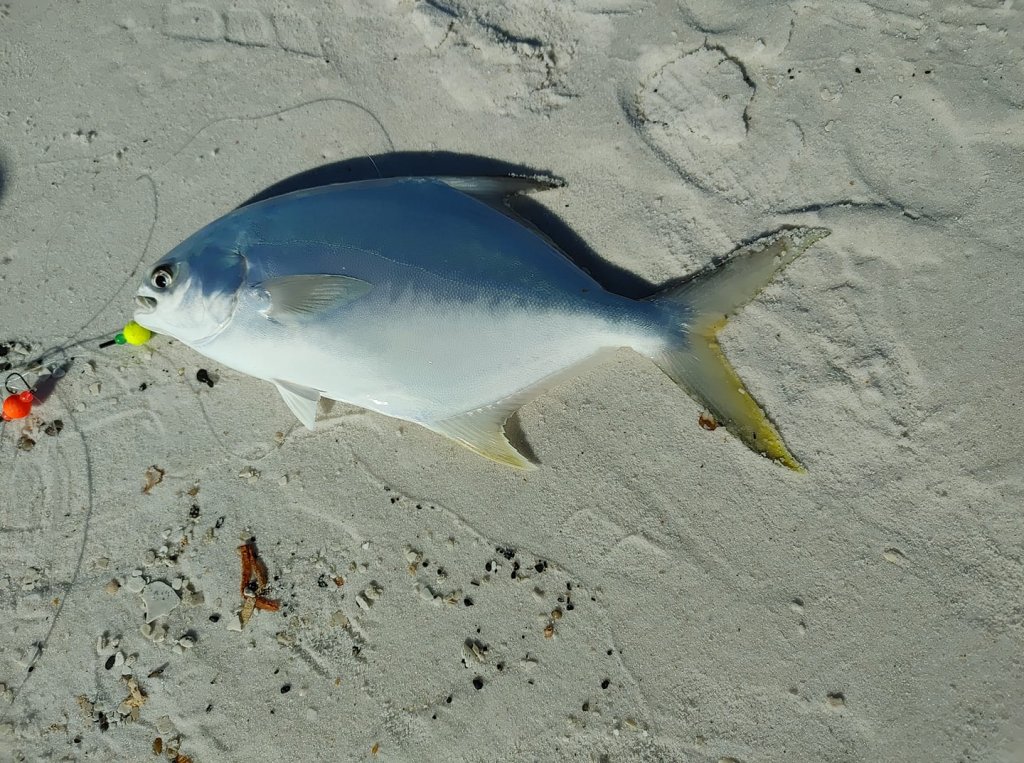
x=430 y=164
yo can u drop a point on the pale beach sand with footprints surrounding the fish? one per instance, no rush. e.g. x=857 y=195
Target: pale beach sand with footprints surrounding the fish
x=870 y=611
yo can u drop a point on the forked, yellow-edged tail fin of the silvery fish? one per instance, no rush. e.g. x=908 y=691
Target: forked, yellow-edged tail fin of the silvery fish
x=708 y=301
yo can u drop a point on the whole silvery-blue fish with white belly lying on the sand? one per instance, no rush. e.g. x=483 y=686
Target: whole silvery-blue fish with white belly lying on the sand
x=430 y=301
